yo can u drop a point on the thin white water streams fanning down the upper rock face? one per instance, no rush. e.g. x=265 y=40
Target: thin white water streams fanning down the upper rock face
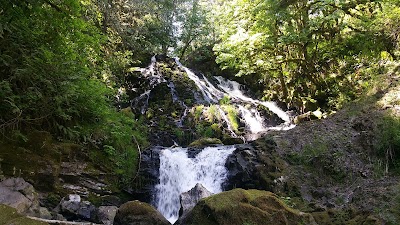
x=210 y=92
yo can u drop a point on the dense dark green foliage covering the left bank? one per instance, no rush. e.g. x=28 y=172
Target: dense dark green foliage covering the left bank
x=58 y=73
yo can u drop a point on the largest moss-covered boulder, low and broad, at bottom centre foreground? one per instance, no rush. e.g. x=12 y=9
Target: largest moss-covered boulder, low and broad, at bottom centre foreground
x=239 y=206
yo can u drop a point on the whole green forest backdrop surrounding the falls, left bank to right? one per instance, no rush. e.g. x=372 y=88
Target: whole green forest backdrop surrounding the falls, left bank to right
x=62 y=62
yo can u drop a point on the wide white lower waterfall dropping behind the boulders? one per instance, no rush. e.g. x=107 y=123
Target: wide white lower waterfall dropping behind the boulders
x=179 y=173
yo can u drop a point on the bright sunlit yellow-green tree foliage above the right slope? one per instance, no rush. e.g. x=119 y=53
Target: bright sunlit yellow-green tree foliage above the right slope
x=308 y=54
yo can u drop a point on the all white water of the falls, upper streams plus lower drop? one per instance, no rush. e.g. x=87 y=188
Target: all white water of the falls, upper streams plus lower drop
x=178 y=172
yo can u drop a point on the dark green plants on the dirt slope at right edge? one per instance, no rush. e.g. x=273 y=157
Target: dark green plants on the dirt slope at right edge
x=388 y=143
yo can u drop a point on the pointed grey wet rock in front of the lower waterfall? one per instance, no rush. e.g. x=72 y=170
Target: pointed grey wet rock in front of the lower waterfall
x=190 y=198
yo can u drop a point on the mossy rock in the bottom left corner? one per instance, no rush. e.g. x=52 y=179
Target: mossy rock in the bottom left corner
x=9 y=216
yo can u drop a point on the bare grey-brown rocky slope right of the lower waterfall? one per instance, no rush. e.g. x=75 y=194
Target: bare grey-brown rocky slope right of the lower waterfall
x=331 y=165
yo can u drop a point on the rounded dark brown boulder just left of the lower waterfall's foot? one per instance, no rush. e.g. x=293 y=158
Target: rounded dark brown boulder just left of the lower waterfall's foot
x=138 y=213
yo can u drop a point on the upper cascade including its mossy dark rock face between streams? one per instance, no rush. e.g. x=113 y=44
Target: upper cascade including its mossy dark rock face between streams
x=186 y=97
